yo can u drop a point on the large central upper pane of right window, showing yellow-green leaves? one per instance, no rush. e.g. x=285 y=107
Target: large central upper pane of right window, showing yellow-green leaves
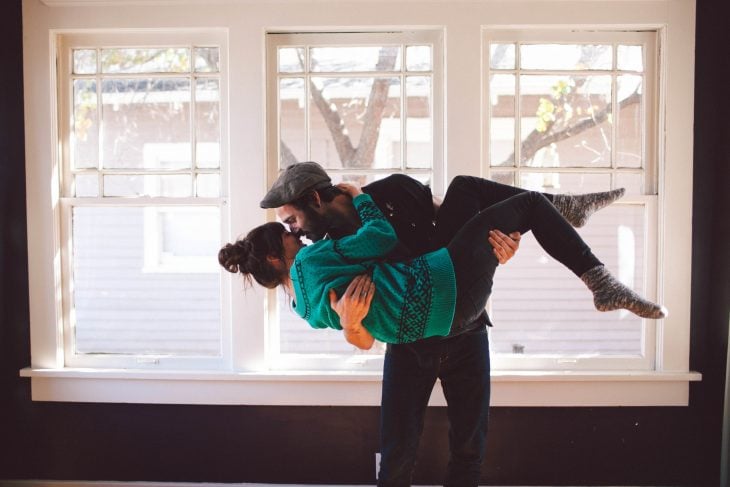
x=565 y=121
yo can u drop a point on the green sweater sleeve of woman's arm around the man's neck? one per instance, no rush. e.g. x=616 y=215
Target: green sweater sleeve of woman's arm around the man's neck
x=375 y=238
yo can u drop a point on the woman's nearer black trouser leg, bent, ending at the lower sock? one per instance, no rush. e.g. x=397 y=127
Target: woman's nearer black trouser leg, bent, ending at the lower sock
x=474 y=260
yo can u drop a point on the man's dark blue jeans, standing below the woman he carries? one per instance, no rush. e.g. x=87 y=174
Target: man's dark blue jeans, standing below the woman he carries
x=409 y=374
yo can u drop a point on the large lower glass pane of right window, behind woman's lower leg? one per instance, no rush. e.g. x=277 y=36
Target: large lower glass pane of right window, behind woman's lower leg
x=559 y=317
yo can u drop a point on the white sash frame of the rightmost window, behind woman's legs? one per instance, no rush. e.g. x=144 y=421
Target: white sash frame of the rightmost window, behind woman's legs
x=649 y=40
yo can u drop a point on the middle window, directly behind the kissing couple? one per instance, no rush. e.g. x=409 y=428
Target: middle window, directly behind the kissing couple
x=364 y=106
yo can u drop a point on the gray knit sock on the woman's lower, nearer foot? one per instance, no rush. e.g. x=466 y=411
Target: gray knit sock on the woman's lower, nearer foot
x=610 y=294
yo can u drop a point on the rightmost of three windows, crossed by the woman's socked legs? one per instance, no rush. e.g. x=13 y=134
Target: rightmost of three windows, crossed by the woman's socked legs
x=574 y=112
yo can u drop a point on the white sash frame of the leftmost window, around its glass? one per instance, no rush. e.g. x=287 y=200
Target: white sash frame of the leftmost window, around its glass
x=65 y=43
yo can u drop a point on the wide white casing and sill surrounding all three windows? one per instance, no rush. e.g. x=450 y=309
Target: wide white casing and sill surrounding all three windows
x=250 y=379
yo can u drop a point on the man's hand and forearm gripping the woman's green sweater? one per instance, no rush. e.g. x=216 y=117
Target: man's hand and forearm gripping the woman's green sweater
x=352 y=308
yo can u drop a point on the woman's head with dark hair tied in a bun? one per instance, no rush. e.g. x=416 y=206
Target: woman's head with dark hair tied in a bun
x=260 y=255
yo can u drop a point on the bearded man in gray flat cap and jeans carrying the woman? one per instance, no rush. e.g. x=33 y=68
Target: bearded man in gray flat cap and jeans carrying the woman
x=306 y=201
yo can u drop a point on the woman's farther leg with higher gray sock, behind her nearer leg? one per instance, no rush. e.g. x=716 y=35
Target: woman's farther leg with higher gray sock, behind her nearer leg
x=467 y=195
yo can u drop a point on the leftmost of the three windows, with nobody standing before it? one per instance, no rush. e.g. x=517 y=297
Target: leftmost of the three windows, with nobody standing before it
x=140 y=118
